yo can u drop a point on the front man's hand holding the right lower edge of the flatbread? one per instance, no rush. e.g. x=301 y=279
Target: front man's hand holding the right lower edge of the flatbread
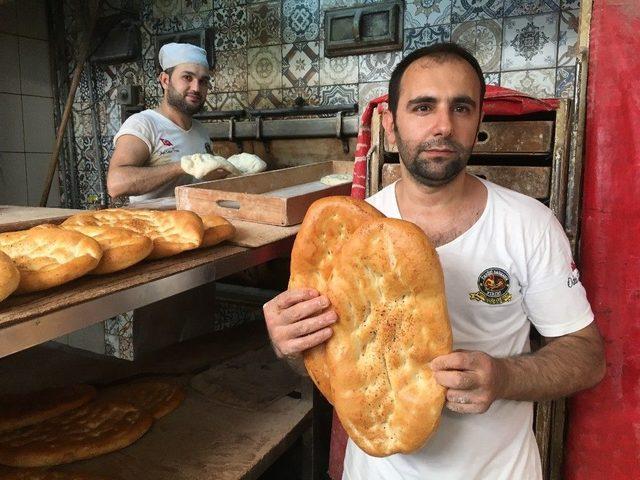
x=474 y=380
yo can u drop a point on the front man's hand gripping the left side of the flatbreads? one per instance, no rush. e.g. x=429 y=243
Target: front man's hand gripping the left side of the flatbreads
x=298 y=320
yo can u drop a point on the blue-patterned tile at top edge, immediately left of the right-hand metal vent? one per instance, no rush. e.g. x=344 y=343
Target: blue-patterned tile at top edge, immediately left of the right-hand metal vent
x=300 y=20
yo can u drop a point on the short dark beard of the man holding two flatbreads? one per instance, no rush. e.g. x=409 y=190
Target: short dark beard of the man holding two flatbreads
x=433 y=172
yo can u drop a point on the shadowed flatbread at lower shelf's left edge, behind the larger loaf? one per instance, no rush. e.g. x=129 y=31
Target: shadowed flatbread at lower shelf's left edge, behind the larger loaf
x=18 y=411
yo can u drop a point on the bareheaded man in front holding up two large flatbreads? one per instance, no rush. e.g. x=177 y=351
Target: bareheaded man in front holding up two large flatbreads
x=507 y=266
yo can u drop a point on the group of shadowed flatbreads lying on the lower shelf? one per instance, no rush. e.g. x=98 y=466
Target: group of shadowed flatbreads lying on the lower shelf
x=62 y=425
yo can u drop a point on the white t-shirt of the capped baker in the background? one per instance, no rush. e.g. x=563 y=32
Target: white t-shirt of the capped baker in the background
x=167 y=143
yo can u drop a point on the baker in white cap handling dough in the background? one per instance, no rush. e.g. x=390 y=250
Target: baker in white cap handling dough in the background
x=146 y=162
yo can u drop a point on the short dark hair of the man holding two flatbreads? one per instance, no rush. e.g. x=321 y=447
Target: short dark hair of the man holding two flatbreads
x=439 y=51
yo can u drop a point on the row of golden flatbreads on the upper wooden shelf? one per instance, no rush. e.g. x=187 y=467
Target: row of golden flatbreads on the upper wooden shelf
x=100 y=242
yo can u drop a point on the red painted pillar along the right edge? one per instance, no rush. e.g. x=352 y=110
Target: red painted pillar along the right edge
x=604 y=423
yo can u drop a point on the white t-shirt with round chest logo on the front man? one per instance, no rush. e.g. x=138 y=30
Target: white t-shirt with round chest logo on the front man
x=511 y=269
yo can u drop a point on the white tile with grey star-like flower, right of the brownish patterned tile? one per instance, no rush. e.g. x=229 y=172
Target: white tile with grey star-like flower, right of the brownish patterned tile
x=530 y=42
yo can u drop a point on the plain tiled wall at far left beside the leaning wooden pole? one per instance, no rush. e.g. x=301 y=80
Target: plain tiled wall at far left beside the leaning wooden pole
x=26 y=104
